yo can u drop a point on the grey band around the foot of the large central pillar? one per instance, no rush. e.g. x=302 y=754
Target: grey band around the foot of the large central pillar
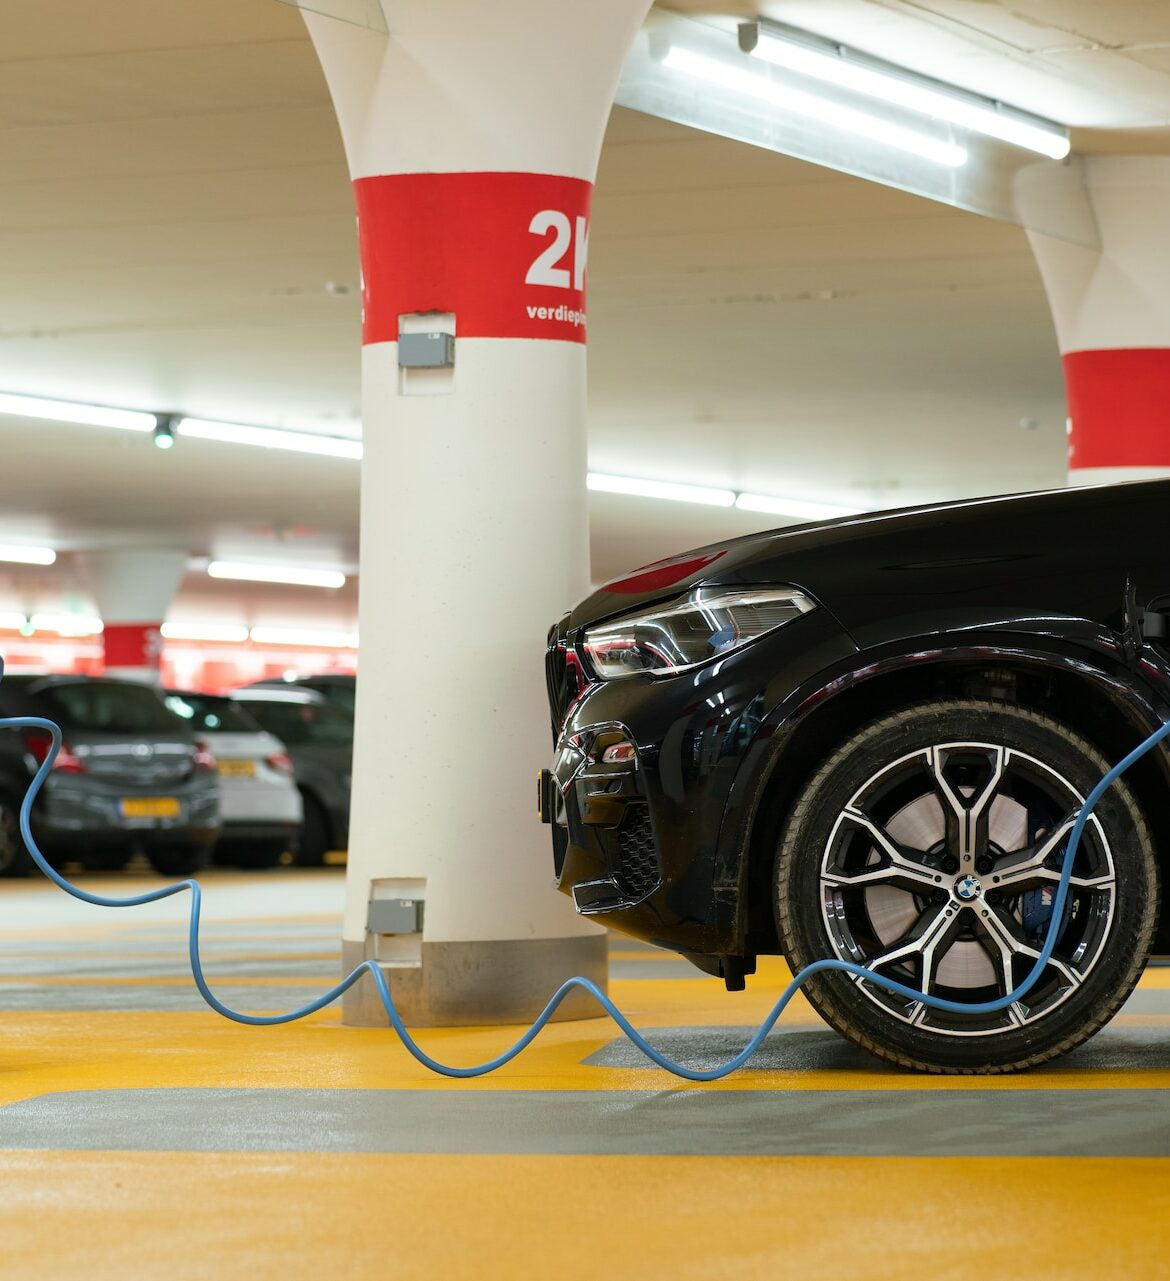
x=480 y=982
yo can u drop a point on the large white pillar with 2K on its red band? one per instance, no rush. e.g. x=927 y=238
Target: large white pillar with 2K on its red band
x=472 y=134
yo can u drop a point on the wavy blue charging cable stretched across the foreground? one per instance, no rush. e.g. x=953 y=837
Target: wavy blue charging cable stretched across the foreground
x=958 y=1008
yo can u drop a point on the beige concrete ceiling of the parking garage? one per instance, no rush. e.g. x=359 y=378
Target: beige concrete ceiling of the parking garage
x=176 y=234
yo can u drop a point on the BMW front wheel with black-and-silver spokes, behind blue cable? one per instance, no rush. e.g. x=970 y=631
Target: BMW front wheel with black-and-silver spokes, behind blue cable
x=928 y=850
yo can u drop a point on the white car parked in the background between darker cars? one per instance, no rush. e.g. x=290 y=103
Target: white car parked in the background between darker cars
x=261 y=808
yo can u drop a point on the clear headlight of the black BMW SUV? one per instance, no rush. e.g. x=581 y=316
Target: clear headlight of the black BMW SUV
x=681 y=635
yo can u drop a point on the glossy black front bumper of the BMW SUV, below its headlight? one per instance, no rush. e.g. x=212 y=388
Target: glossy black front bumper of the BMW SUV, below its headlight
x=655 y=845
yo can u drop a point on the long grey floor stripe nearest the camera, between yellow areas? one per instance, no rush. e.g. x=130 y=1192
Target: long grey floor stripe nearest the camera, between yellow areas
x=638 y=1123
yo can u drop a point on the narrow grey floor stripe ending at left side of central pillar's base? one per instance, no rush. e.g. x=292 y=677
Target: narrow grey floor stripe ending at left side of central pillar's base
x=163 y=999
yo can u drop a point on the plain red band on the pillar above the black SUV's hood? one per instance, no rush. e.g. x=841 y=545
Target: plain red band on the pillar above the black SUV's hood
x=1119 y=408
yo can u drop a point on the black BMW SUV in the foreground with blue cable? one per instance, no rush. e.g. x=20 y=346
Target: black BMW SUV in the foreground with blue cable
x=867 y=740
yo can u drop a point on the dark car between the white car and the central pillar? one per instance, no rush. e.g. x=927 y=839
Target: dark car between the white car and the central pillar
x=320 y=738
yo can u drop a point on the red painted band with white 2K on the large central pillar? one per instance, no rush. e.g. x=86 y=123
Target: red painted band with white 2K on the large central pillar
x=504 y=252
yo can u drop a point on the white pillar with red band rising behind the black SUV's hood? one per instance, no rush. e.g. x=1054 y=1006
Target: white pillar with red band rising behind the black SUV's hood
x=1112 y=308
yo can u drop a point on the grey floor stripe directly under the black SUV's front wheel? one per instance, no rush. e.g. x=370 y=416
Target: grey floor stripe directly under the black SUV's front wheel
x=805 y=1050
